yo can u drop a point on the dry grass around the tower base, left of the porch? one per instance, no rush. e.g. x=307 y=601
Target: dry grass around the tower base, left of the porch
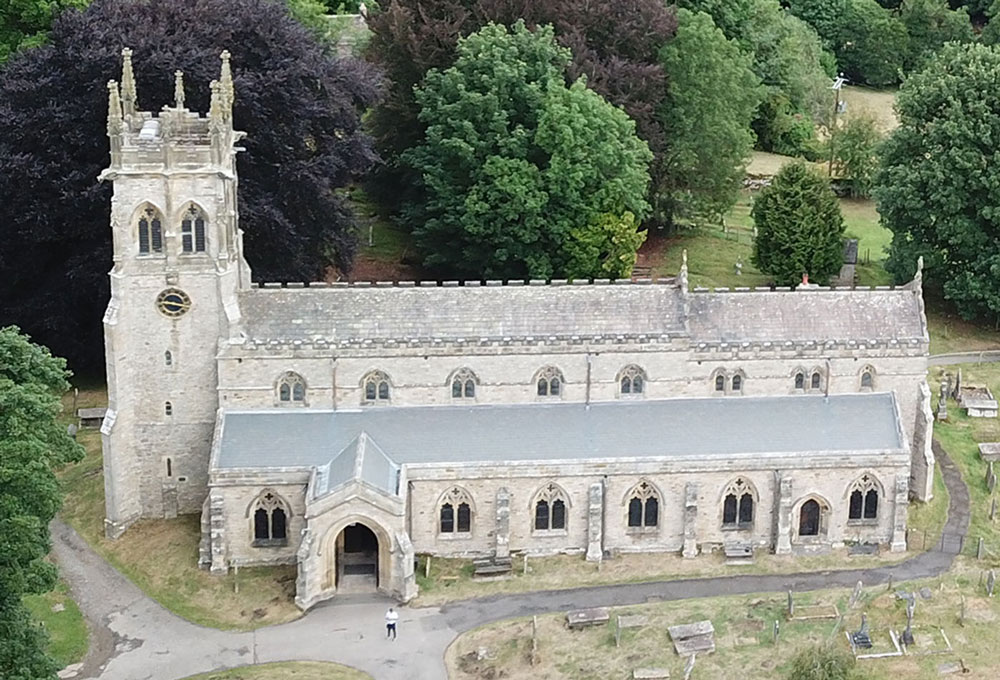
x=161 y=556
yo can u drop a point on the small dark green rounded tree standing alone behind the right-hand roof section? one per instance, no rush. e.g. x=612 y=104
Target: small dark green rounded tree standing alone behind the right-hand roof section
x=799 y=227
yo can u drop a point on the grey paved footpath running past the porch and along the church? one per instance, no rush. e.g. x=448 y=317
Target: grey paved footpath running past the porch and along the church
x=134 y=638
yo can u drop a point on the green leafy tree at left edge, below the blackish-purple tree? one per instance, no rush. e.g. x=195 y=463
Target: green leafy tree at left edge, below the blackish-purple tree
x=32 y=444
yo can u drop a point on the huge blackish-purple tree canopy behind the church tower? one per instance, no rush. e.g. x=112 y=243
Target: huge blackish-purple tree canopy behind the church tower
x=300 y=106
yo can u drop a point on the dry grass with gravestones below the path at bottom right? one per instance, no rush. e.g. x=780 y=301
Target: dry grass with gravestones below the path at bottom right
x=743 y=636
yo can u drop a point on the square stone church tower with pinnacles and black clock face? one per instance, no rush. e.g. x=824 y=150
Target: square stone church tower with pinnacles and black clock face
x=178 y=267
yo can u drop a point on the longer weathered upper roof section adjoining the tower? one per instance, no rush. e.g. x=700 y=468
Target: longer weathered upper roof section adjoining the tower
x=460 y=312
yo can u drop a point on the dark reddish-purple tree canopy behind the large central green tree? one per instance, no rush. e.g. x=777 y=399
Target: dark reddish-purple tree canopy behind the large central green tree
x=614 y=44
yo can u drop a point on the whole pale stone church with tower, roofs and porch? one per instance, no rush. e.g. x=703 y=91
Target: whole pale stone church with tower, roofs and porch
x=346 y=428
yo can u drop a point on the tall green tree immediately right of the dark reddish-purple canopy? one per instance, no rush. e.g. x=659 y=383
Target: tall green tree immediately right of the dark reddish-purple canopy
x=711 y=99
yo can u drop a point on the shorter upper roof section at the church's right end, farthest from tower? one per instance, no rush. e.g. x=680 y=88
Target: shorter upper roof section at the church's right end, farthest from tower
x=818 y=315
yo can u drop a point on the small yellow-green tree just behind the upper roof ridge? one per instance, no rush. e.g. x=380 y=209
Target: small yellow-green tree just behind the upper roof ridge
x=605 y=248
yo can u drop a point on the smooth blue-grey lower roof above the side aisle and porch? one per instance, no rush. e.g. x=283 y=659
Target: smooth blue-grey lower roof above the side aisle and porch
x=710 y=427
